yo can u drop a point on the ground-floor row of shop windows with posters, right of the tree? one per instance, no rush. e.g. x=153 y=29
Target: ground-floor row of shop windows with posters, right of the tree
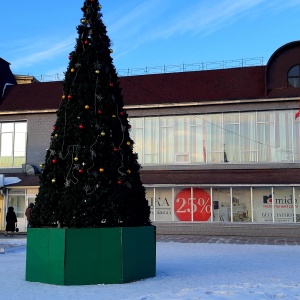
x=259 y=204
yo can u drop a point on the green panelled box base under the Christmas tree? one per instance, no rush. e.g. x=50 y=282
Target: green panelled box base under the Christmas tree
x=82 y=256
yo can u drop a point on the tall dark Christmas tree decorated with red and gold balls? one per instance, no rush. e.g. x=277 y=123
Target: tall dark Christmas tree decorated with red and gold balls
x=91 y=175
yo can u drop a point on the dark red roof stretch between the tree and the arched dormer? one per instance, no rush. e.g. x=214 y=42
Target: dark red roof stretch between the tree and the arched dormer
x=213 y=85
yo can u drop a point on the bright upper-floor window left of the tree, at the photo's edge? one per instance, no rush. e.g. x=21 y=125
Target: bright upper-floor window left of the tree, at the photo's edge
x=13 y=137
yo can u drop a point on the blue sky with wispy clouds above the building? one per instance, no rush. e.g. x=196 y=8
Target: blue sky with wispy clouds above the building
x=37 y=36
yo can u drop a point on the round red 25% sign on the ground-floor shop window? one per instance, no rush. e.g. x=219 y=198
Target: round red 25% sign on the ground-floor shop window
x=199 y=205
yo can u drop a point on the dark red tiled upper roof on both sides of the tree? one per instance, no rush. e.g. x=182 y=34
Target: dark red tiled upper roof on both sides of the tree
x=212 y=85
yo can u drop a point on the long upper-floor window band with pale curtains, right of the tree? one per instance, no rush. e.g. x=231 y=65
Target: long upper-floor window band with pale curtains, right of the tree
x=264 y=136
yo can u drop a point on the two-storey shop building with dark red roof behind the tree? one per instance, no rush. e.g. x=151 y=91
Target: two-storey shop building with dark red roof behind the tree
x=215 y=145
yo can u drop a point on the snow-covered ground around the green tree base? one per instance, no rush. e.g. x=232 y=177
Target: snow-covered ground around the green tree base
x=185 y=271
